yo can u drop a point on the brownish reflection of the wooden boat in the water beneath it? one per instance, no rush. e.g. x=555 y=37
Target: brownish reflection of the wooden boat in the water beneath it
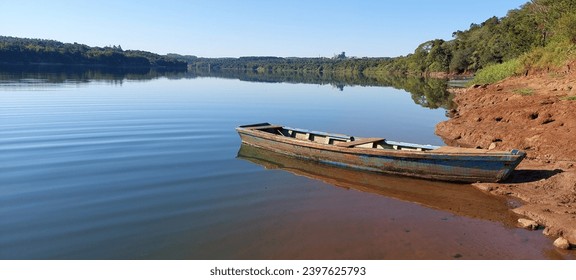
x=459 y=199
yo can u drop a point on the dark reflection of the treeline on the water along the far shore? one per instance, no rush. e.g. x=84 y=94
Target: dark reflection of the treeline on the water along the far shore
x=429 y=93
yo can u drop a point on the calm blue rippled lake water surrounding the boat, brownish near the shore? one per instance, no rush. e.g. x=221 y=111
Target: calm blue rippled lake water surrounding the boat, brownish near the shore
x=154 y=170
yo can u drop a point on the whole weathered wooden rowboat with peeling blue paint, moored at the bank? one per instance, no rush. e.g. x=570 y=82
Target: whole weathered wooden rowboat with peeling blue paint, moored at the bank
x=381 y=155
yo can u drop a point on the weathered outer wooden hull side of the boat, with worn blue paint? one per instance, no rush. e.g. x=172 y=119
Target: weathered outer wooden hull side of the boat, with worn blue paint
x=456 y=167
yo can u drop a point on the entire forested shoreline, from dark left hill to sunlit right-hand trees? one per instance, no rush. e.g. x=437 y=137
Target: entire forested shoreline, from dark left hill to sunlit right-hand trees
x=539 y=34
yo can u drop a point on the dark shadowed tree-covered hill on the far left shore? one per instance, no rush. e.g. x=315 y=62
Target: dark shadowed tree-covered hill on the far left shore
x=23 y=51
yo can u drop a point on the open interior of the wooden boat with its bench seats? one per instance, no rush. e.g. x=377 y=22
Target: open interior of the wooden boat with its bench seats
x=340 y=140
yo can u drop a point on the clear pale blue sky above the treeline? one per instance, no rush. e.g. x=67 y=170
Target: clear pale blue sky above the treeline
x=233 y=28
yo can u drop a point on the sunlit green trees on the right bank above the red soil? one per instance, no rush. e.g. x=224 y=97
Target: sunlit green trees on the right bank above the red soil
x=535 y=25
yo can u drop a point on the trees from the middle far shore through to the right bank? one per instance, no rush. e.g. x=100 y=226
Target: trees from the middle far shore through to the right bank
x=536 y=24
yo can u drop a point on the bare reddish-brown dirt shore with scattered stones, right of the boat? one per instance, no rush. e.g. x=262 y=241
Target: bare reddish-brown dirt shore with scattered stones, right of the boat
x=535 y=113
